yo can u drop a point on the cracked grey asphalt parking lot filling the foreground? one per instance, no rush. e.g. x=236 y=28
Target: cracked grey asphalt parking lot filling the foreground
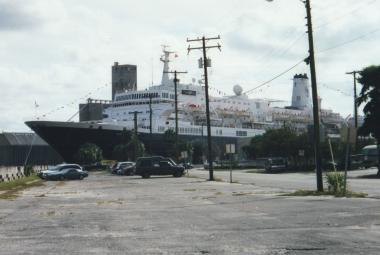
x=107 y=214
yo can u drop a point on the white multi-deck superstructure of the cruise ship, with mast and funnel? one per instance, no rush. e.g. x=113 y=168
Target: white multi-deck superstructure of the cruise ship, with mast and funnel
x=231 y=116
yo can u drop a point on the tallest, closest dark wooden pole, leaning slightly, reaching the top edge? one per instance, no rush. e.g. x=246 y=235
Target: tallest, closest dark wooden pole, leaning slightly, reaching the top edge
x=311 y=60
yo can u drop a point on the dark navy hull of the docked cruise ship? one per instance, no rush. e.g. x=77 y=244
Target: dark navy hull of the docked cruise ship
x=67 y=137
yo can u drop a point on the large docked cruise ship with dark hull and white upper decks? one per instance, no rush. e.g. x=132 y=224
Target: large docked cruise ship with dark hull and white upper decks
x=234 y=119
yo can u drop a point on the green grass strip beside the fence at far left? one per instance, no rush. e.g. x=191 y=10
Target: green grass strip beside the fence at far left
x=9 y=190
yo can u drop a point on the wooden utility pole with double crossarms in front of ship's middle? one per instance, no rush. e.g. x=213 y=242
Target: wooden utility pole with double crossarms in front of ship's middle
x=205 y=65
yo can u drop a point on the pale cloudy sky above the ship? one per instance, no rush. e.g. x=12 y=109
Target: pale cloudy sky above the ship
x=56 y=53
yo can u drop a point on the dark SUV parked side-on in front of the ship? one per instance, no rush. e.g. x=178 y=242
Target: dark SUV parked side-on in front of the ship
x=157 y=165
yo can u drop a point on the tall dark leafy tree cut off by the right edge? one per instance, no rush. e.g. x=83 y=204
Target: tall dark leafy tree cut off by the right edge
x=370 y=96
